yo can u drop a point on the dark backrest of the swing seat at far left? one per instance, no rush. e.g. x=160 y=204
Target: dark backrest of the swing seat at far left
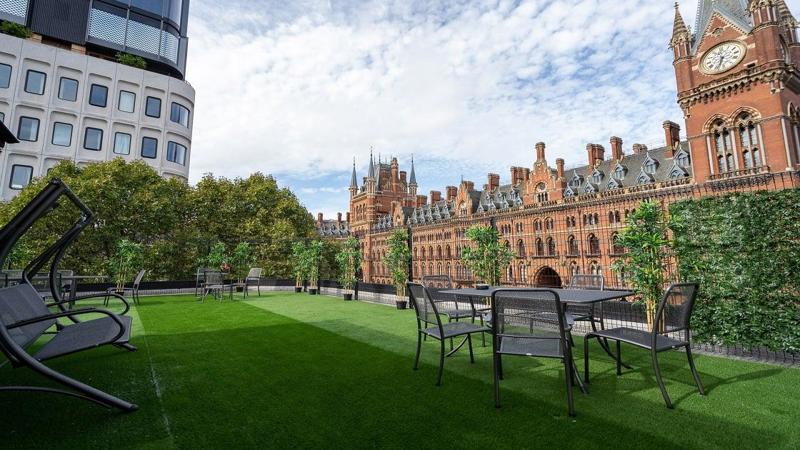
x=22 y=302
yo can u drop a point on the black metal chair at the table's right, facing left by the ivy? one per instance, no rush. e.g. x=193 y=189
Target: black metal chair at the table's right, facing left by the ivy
x=671 y=330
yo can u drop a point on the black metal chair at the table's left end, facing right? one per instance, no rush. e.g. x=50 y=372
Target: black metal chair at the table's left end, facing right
x=429 y=323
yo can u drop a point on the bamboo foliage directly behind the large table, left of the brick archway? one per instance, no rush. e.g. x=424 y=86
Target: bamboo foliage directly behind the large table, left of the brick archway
x=486 y=258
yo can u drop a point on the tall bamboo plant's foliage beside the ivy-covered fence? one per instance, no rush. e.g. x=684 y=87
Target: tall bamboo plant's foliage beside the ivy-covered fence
x=647 y=252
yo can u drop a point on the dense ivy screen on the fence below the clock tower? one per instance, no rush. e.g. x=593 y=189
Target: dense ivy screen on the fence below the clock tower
x=744 y=250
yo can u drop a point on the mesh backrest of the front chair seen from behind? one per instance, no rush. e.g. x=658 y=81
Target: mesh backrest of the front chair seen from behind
x=529 y=313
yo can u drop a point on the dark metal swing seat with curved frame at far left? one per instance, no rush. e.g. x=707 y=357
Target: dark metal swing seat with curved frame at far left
x=25 y=317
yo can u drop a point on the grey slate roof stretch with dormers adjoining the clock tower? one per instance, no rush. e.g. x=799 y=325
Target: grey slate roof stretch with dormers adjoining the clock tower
x=633 y=169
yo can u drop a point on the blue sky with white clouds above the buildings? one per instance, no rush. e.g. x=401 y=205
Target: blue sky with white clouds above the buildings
x=298 y=89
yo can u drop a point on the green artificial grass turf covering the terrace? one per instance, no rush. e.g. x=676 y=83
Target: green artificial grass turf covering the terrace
x=290 y=370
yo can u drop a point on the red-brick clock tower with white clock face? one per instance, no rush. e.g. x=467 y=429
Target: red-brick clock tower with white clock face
x=739 y=87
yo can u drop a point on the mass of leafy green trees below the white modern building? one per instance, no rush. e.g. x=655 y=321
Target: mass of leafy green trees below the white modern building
x=175 y=223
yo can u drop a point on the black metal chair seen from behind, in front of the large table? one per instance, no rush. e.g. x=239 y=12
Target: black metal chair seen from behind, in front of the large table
x=531 y=323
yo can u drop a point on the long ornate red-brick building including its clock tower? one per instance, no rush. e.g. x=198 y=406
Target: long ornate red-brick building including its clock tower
x=738 y=86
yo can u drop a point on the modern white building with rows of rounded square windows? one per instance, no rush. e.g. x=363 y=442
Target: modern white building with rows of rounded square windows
x=74 y=101
